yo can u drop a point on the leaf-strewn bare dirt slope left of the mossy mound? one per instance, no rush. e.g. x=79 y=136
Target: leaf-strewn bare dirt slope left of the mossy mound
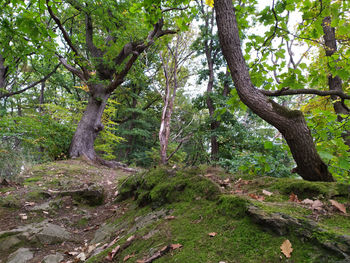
x=42 y=184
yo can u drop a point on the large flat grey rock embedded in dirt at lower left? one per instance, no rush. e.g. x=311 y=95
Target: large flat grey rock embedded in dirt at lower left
x=44 y=233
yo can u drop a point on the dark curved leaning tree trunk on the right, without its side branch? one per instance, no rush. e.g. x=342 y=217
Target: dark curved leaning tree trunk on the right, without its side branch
x=291 y=124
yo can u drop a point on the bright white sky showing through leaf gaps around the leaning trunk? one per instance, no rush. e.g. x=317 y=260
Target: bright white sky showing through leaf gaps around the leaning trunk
x=193 y=89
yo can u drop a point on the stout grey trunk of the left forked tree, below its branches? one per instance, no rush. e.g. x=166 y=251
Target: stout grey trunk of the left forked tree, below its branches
x=90 y=124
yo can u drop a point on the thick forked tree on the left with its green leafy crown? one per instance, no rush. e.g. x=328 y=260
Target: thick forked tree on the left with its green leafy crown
x=102 y=55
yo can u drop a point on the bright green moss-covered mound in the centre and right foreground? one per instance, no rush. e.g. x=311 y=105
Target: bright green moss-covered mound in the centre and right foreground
x=213 y=223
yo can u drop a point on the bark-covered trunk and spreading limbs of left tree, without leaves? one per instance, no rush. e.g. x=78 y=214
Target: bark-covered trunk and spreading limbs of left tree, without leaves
x=90 y=125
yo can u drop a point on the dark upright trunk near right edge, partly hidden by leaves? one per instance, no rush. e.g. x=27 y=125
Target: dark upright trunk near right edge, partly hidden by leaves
x=335 y=82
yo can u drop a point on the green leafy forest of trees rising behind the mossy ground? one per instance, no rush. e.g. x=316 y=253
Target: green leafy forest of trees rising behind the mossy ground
x=110 y=80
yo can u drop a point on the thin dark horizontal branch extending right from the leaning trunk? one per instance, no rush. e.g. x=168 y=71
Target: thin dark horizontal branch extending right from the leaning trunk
x=287 y=92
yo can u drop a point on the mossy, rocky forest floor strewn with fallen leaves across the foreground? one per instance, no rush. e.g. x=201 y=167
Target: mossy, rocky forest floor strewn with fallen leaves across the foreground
x=80 y=212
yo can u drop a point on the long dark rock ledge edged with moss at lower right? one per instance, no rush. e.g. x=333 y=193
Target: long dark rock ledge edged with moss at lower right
x=282 y=224
